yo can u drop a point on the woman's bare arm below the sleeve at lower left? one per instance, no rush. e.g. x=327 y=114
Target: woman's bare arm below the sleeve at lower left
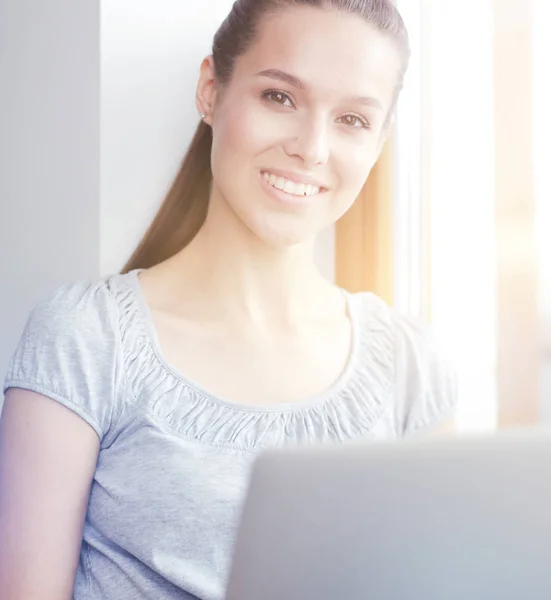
x=48 y=458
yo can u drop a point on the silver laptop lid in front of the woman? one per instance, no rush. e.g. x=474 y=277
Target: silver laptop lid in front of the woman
x=439 y=519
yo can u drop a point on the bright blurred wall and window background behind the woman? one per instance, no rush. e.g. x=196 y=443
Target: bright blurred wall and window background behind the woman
x=97 y=108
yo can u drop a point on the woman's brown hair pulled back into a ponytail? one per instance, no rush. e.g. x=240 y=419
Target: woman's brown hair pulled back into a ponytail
x=184 y=209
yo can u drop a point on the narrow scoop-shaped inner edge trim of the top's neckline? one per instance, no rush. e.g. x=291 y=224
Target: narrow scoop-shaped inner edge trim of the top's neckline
x=315 y=401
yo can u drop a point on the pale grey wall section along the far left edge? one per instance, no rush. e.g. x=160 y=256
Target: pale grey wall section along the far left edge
x=49 y=153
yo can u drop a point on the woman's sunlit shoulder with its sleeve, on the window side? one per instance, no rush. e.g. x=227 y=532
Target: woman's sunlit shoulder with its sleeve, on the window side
x=425 y=379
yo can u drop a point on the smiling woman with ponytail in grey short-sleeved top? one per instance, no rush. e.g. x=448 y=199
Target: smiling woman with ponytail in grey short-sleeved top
x=135 y=404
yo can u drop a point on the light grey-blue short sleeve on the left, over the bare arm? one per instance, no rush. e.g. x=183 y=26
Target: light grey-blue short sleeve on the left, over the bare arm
x=69 y=351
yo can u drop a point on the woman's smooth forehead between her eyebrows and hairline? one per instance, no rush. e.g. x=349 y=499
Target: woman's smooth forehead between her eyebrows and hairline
x=330 y=50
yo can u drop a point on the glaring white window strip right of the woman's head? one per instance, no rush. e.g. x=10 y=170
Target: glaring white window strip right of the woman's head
x=458 y=91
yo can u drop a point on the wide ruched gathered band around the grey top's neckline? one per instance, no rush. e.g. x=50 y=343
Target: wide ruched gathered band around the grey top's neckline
x=349 y=409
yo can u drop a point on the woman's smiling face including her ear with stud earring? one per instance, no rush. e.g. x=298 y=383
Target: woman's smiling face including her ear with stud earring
x=306 y=104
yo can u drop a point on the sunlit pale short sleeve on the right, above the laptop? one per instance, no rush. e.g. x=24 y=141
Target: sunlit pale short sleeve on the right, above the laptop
x=426 y=380
